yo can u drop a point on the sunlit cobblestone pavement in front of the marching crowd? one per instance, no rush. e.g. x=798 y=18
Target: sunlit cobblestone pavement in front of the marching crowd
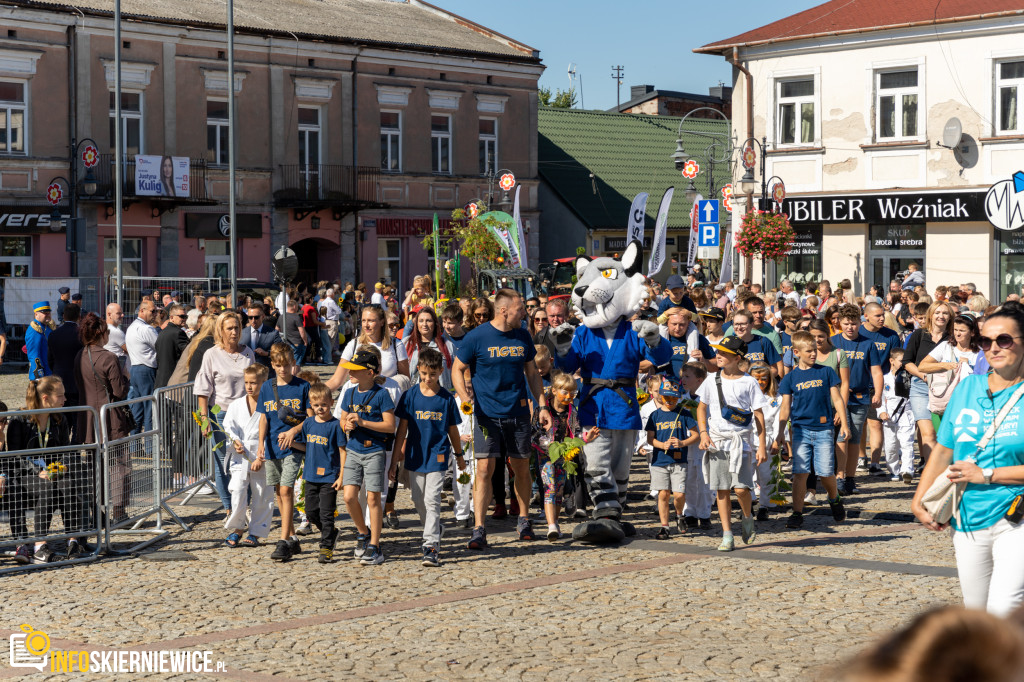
x=791 y=607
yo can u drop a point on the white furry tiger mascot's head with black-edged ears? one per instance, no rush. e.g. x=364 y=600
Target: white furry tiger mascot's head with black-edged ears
x=610 y=289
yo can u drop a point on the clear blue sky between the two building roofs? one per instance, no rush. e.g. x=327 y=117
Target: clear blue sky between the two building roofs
x=652 y=39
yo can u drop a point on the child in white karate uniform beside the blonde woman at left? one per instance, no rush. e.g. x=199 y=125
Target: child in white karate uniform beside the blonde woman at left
x=248 y=486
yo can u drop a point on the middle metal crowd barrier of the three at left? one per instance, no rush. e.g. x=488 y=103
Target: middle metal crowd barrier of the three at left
x=133 y=483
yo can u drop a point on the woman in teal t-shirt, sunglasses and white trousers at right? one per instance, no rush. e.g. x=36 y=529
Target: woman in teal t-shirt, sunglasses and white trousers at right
x=990 y=548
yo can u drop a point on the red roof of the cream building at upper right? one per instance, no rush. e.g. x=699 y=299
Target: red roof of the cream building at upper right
x=839 y=17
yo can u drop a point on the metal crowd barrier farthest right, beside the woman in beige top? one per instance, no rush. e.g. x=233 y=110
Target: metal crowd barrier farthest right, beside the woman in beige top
x=188 y=457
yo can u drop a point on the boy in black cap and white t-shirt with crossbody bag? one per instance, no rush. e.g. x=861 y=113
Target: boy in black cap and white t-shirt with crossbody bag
x=731 y=409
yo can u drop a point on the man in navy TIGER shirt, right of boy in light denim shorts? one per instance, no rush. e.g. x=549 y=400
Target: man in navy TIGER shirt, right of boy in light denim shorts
x=866 y=391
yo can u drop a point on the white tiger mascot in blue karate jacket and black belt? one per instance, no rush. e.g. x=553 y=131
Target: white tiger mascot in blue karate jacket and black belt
x=608 y=351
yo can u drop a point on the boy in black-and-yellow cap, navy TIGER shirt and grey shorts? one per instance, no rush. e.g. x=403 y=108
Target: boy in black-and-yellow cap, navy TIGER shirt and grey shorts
x=368 y=419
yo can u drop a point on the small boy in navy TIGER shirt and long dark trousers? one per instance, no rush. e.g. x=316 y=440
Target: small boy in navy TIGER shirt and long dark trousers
x=325 y=444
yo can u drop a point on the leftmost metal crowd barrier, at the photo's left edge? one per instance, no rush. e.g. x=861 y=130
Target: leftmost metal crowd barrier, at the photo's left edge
x=70 y=488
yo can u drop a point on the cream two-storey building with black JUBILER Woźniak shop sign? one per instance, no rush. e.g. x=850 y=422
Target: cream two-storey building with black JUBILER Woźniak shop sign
x=855 y=118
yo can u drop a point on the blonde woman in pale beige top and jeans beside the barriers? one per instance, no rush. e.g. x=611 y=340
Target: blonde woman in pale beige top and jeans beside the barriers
x=221 y=381
